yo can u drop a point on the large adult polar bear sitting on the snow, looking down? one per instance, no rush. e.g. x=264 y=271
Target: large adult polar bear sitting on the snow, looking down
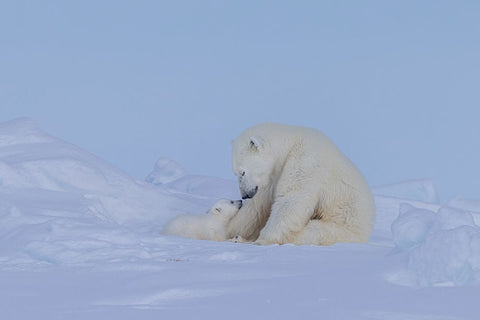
x=298 y=188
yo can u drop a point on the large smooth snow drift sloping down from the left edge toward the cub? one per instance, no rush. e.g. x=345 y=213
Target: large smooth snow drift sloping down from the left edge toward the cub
x=62 y=205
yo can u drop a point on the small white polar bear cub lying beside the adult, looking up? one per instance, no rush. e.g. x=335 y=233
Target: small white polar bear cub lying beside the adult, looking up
x=210 y=226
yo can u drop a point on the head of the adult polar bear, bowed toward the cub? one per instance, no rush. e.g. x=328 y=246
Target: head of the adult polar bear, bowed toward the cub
x=253 y=162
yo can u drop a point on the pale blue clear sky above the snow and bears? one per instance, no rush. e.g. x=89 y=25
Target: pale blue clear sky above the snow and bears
x=395 y=84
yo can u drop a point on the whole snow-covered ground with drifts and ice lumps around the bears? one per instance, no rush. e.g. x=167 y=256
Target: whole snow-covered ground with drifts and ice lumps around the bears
x=79 y=239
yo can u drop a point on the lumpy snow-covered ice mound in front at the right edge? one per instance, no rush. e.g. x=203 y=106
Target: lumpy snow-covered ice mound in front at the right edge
x=443 y=247
